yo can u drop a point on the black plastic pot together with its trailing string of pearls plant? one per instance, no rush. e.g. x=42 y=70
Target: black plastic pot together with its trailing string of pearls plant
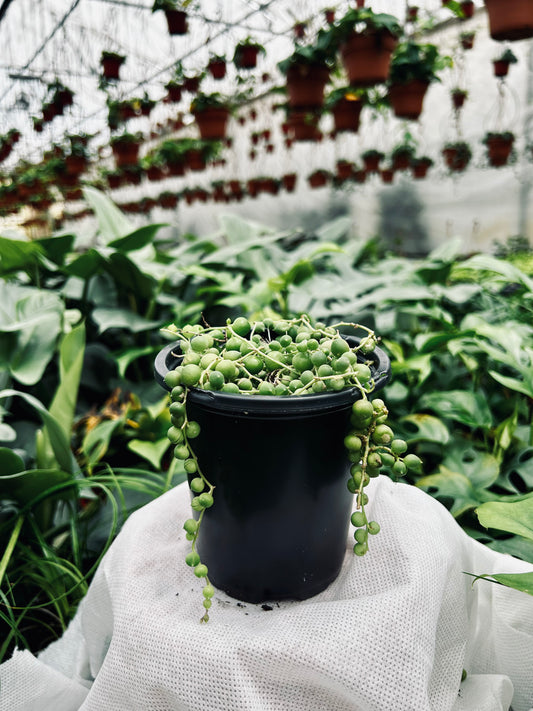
x=296 y=392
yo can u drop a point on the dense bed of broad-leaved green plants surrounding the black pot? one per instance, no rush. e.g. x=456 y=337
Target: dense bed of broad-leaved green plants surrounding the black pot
x=80 y=324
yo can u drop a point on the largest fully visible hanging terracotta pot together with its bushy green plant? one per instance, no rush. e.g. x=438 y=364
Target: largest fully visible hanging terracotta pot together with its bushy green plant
x=366 y=41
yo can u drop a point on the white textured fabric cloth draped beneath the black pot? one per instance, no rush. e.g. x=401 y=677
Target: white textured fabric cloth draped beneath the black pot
x=394 y=631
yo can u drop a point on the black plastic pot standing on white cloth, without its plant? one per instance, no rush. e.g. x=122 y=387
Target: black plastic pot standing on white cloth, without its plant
x=279 y=524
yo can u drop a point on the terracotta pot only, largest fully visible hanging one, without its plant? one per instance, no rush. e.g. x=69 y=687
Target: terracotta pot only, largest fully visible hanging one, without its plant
x=366 y=57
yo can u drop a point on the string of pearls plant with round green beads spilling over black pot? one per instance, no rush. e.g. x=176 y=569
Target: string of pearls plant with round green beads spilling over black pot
x=286 y=357
